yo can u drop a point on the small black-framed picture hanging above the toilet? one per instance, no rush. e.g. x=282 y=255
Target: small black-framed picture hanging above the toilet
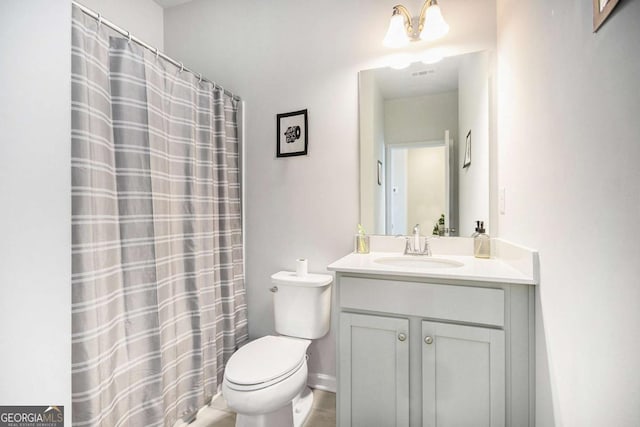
x=292 y=138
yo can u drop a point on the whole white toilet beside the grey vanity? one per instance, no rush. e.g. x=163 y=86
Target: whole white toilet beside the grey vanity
x=265 y=381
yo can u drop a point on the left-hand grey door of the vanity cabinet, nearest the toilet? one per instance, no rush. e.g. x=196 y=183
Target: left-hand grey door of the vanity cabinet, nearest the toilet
x=374 y=371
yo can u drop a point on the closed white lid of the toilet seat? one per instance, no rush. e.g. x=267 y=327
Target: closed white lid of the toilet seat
x=265 y=359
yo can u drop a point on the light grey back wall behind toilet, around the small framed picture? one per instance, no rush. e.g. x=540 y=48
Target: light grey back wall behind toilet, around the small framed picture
x=287 y=55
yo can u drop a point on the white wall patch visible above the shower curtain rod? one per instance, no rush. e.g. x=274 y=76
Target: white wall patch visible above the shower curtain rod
x=144 y=18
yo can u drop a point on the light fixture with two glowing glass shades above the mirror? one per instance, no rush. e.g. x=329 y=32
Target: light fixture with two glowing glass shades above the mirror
x=431 y=25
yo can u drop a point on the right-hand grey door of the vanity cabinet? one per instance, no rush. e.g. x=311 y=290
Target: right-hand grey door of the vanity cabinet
x=463 y=376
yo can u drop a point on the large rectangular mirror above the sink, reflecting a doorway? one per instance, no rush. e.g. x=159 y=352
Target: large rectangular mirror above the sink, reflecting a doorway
x=415 y=121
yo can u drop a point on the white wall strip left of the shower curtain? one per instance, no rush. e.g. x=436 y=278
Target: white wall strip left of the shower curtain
x=35 y=195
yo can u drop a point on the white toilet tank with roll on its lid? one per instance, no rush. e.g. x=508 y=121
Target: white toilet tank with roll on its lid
x=302 y=304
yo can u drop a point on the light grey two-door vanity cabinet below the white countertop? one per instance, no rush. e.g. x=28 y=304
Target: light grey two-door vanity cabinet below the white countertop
x=416 y=352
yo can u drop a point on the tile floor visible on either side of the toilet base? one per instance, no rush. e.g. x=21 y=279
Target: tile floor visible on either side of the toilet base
x=323 y=412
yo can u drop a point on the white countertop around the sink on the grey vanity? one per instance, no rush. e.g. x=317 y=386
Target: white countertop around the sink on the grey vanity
x=474 y=269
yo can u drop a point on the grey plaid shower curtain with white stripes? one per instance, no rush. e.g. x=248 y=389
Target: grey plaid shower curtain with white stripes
x=158 y=282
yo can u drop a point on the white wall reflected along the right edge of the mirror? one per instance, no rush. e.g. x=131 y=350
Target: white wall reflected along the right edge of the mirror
x=473 y=181
